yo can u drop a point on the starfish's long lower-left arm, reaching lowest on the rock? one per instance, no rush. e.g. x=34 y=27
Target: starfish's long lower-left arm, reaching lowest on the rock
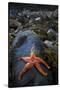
x=27 y=67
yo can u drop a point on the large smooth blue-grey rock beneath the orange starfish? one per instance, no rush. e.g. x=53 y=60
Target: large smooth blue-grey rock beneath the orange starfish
x=21 y=47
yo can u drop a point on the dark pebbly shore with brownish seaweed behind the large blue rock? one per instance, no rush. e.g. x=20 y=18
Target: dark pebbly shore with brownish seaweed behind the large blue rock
x=45 y=24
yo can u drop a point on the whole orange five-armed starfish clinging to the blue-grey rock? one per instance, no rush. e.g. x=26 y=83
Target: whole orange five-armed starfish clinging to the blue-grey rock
x=35 y=61
